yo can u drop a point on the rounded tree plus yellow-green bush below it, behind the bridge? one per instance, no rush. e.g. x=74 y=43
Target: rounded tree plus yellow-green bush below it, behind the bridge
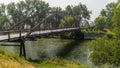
x=76 y=13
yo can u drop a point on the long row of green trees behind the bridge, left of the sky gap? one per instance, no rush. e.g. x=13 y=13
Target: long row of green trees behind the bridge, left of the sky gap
x=12 y=13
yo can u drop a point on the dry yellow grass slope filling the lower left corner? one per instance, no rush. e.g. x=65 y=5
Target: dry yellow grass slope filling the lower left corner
x=9 y=60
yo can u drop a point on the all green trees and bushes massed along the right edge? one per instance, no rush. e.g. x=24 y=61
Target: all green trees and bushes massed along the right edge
x=106 y=50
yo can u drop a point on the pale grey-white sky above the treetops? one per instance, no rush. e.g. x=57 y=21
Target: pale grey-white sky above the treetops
x=93 y=5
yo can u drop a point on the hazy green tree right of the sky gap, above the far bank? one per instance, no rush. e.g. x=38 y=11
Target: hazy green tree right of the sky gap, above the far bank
x=104 y=20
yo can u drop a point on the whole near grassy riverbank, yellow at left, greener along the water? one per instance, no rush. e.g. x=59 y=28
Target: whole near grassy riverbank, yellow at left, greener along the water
x=9 y=60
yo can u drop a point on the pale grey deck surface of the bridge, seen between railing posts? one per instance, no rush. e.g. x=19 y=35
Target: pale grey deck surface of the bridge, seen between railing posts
x=17 y=35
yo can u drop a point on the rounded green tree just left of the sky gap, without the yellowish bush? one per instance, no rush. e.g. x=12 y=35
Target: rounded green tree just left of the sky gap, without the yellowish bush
x=78 y=12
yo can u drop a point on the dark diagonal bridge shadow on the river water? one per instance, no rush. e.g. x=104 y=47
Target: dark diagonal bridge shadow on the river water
x=68 y=48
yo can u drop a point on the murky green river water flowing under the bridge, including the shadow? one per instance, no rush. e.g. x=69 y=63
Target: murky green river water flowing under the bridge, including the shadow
x=44 y=48
